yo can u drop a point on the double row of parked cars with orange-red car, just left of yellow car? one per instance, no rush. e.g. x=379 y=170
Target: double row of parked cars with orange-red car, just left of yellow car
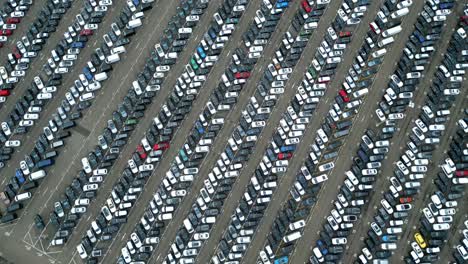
x=412 y=166
